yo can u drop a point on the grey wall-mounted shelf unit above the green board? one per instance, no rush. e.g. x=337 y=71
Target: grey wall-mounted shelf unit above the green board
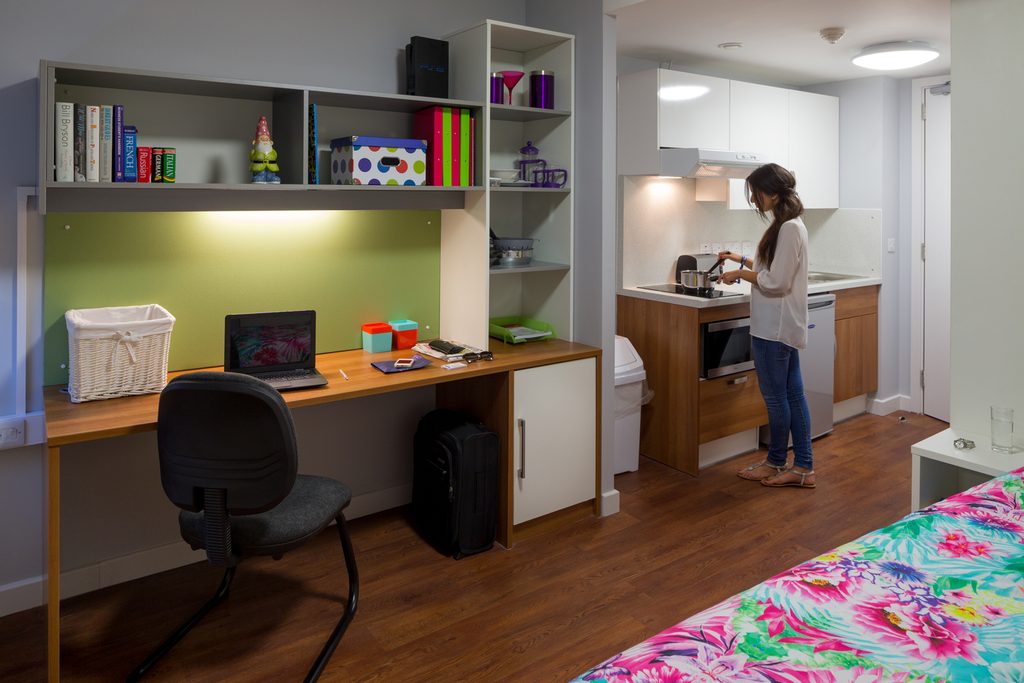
x=211 y=121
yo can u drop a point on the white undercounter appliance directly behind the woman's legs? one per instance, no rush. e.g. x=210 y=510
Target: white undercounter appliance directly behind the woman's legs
x=818 y=365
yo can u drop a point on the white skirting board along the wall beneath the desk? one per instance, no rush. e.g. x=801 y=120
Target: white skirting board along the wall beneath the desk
x=30 y=593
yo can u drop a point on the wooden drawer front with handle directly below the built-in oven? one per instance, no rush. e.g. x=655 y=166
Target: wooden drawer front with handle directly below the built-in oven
x=731 y=405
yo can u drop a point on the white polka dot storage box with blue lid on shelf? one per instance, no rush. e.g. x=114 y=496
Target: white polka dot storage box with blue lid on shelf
x=361 y=160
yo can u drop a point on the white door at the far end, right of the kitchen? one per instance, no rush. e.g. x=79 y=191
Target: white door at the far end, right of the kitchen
x=937 y=265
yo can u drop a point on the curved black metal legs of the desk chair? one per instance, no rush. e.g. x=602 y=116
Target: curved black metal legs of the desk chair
x=223 y=592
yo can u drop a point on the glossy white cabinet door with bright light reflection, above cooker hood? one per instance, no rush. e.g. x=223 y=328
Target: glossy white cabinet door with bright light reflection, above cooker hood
x=694 y=111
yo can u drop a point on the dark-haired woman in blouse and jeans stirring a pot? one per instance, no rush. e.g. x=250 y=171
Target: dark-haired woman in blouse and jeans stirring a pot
x=779 y=325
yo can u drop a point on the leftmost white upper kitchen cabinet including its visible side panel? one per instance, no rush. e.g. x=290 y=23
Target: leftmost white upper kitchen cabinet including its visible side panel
x=659 y=109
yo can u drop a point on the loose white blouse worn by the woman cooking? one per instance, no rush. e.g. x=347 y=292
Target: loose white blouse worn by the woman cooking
x=779 y=301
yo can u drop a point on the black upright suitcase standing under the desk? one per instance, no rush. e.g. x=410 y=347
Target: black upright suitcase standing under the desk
x=455 y=483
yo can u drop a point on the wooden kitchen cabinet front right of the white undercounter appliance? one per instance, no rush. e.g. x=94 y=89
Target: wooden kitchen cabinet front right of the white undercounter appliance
x=857 y=343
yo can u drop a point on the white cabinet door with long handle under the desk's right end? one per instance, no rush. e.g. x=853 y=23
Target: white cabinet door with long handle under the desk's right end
x=554 y=447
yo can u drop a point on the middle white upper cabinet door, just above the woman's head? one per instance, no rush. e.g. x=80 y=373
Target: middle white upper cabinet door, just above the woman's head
x=759 y=121
